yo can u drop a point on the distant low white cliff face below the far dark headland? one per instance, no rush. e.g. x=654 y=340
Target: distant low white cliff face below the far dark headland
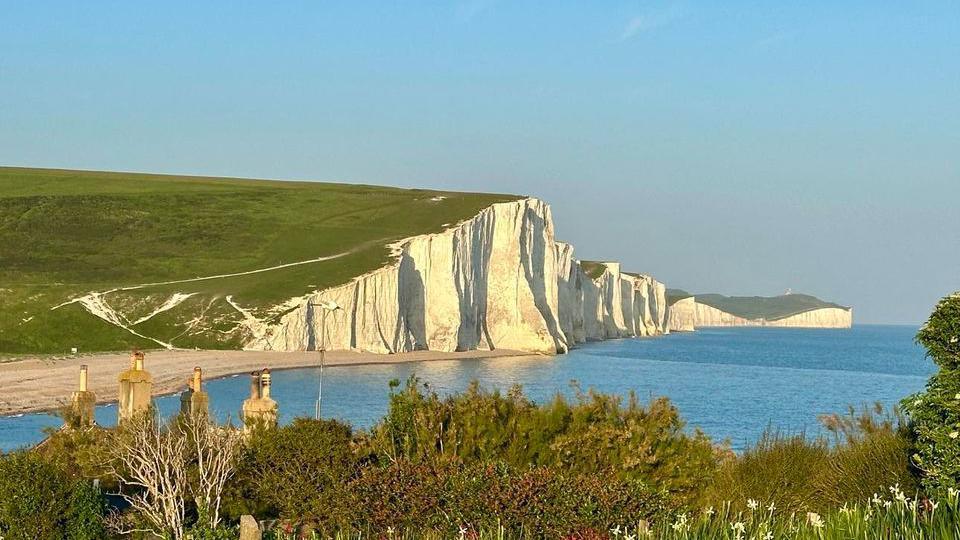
x=688 y=314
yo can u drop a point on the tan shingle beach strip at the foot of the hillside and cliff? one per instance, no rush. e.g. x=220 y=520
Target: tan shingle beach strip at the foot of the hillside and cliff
x=43 y=384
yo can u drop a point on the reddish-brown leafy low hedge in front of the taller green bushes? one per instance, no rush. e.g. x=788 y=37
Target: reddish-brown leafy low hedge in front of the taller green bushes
x=450 y=496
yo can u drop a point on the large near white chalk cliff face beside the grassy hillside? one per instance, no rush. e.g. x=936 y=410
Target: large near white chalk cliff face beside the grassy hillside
x=496 y=281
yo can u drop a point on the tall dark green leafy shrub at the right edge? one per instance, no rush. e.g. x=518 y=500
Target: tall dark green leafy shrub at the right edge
x=935 y=413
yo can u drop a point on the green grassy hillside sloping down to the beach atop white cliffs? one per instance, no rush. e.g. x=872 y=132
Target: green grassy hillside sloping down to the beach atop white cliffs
x=65 y=233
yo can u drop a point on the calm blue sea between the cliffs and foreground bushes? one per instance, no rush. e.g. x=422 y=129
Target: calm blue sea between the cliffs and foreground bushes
x=731 y=382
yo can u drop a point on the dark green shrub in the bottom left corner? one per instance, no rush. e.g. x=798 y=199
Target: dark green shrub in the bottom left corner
x=39 y=501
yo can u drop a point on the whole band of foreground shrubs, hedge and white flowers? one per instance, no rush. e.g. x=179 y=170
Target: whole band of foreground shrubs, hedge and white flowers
x=485 y=464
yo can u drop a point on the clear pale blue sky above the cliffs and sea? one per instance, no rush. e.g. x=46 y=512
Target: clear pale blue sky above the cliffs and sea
x=730 y=147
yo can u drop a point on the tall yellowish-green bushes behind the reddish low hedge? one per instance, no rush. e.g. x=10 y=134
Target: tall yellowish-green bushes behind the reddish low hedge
x=594 y=435
